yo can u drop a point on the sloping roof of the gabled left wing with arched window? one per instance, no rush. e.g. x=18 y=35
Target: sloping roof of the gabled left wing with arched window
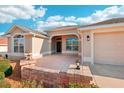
x=29 y=30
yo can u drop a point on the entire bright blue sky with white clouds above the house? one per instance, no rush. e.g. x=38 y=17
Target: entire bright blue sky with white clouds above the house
x=50 y=16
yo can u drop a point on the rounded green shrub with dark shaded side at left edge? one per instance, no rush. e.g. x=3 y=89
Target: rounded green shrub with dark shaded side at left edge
x=5 y=67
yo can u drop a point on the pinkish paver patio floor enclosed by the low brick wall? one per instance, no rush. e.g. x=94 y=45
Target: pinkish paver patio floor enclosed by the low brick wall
x=58 y=62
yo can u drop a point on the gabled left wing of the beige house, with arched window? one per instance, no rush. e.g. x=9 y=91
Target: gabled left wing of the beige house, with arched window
x=22 y=40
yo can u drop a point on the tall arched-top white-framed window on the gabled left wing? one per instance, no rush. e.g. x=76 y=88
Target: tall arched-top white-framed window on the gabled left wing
x=19 y=44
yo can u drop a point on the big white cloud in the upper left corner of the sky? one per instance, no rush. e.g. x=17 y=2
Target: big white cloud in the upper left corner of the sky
x=10 y=13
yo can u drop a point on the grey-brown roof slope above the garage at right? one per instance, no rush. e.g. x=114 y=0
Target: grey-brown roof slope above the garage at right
x=109 y=21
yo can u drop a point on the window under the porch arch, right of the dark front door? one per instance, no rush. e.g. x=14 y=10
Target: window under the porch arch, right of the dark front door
x=72 y=44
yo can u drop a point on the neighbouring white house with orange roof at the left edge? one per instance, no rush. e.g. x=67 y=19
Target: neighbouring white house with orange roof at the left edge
x=3 y=46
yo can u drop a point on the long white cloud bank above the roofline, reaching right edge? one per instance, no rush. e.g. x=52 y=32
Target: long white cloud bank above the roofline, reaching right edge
x=97 y=16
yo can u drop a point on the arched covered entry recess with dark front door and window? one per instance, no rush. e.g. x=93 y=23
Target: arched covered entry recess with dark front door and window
x=65 y=44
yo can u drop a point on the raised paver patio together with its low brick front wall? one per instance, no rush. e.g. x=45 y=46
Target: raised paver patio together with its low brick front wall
x=57 y=71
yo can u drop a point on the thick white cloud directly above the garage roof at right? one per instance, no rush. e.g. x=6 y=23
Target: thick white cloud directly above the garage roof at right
x=100 y=15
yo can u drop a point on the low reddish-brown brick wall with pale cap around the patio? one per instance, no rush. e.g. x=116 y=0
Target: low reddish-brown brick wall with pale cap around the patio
x=55 y=78
